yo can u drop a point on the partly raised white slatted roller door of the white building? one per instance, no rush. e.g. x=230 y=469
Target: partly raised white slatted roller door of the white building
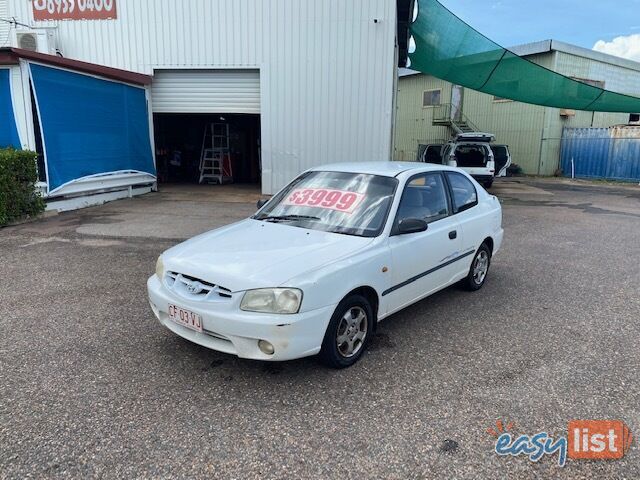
x=206 y=91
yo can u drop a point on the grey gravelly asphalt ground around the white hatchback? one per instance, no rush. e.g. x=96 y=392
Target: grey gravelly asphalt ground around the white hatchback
x=92 y=386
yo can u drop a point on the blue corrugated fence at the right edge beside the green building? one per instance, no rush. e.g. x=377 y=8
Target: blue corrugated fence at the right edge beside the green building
x=607 y=153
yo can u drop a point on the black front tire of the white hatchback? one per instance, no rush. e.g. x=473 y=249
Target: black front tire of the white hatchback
x=335 y=356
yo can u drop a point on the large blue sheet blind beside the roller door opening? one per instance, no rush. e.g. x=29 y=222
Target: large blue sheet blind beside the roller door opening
x=90 y=126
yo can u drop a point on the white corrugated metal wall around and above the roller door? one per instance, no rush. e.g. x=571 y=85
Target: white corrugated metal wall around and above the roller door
x=326 y=68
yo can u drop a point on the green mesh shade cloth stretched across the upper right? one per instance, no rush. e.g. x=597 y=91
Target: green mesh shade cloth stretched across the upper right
x=448 y=48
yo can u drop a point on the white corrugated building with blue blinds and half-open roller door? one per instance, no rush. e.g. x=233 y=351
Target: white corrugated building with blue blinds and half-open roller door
x=271 y=87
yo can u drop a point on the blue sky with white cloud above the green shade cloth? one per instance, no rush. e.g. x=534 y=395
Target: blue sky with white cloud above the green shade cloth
x=610 y=27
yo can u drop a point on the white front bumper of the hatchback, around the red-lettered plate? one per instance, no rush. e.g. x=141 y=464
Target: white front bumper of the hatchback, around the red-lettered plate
x=228 y=329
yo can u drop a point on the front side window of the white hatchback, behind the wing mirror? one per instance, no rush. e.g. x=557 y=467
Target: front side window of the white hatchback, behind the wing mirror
x=424 y=198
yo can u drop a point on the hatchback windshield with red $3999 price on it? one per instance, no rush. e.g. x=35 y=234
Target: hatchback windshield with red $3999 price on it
x=337 y=202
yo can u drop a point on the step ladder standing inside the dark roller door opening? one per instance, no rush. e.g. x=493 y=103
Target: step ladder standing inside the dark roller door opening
x=215 y=159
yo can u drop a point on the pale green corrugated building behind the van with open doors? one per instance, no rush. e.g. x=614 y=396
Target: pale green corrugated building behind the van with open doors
x=430 y=110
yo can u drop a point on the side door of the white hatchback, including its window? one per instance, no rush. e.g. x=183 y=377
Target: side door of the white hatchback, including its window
x=421 y=261
